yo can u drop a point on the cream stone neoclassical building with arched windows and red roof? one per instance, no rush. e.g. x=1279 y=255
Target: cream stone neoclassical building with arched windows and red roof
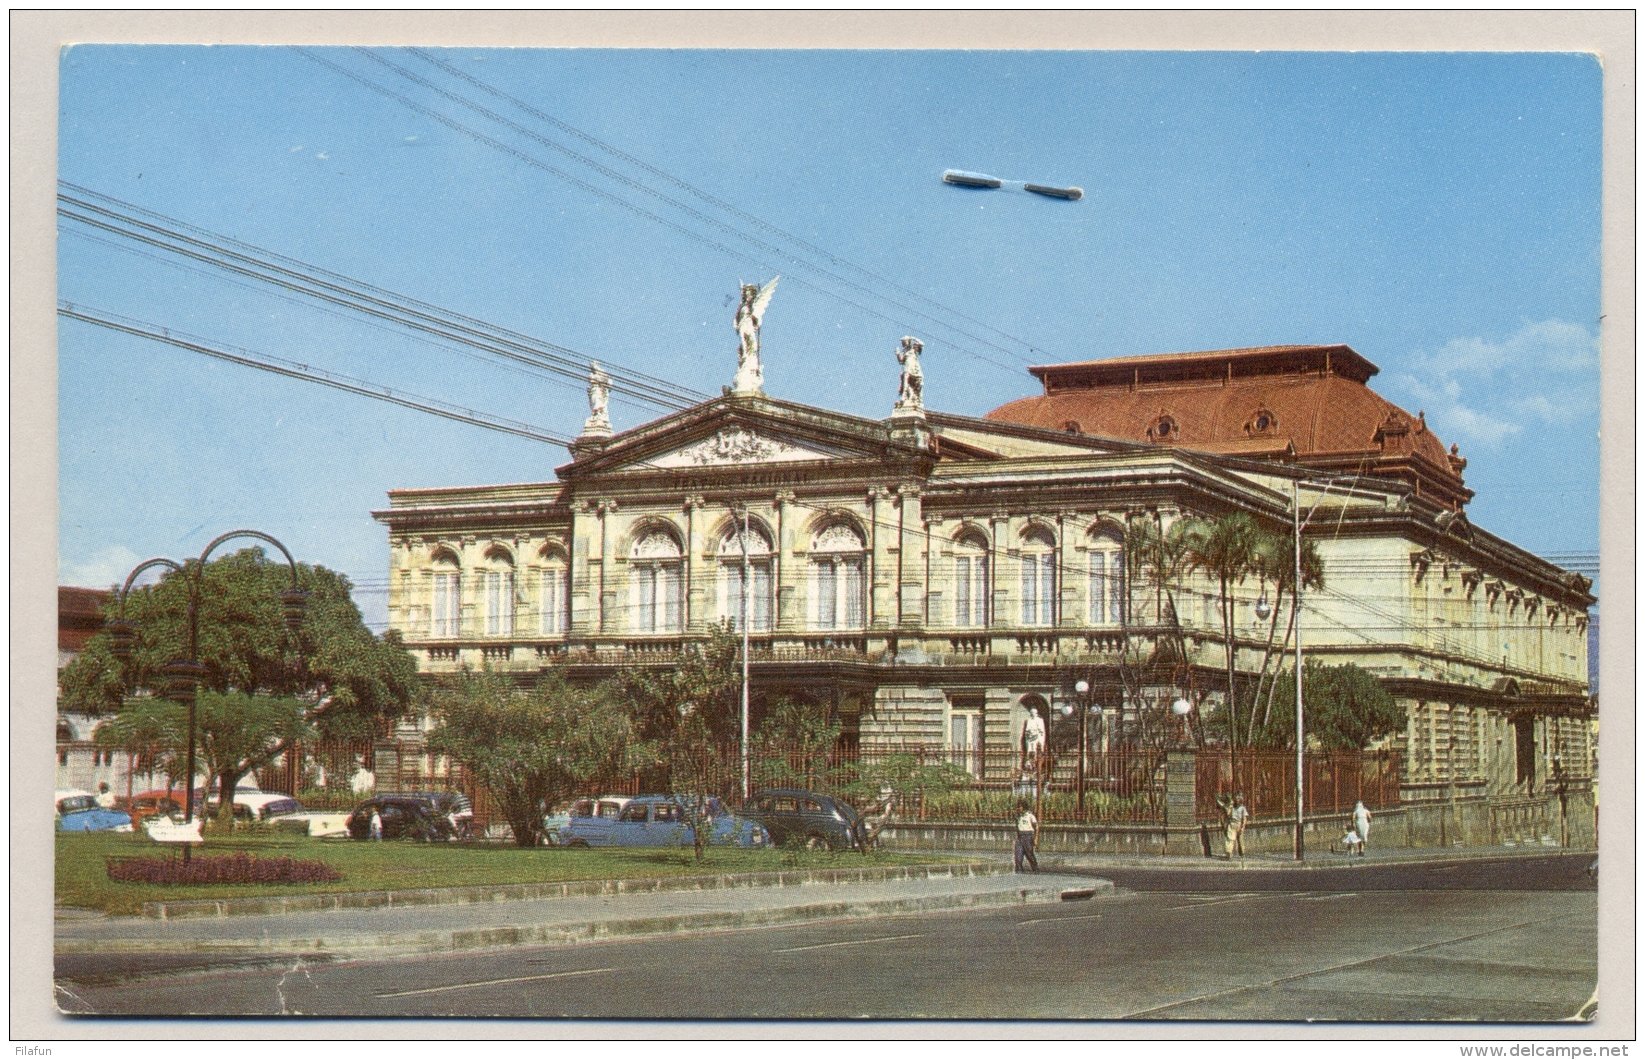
x=932 y=579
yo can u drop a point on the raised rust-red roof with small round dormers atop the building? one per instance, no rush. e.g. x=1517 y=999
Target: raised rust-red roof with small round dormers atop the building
x=1292 y=402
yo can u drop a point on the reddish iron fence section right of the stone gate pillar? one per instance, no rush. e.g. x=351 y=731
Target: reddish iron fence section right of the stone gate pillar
x=1333 y=781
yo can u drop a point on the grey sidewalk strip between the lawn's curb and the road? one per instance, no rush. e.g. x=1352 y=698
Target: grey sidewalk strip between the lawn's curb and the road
x=557 y=921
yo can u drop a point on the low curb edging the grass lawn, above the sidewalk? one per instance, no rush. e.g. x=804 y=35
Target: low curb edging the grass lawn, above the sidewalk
x=567 y=890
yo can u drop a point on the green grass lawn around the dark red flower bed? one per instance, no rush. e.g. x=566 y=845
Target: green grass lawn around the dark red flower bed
x=83 y=880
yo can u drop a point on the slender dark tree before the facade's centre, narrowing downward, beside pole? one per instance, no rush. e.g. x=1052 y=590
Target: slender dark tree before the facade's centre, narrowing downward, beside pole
x=690 y=712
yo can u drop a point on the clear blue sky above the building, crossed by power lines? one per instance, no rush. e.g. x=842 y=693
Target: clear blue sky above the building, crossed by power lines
x=1439 y=213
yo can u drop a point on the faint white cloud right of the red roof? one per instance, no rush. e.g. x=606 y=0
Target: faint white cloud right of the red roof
x=1544 y=373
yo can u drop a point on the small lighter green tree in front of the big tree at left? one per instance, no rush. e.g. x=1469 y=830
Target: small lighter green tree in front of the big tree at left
x=238 y=733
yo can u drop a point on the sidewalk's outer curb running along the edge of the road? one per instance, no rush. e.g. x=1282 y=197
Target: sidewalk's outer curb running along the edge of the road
x=593 y=931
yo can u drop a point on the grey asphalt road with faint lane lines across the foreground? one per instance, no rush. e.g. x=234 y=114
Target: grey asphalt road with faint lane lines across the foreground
x=1511 y=947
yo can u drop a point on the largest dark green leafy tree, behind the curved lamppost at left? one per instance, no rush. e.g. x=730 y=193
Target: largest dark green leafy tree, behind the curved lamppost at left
x=346 y=679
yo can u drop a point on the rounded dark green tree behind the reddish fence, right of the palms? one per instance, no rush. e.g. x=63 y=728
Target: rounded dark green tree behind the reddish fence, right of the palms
x=1345 y=709
